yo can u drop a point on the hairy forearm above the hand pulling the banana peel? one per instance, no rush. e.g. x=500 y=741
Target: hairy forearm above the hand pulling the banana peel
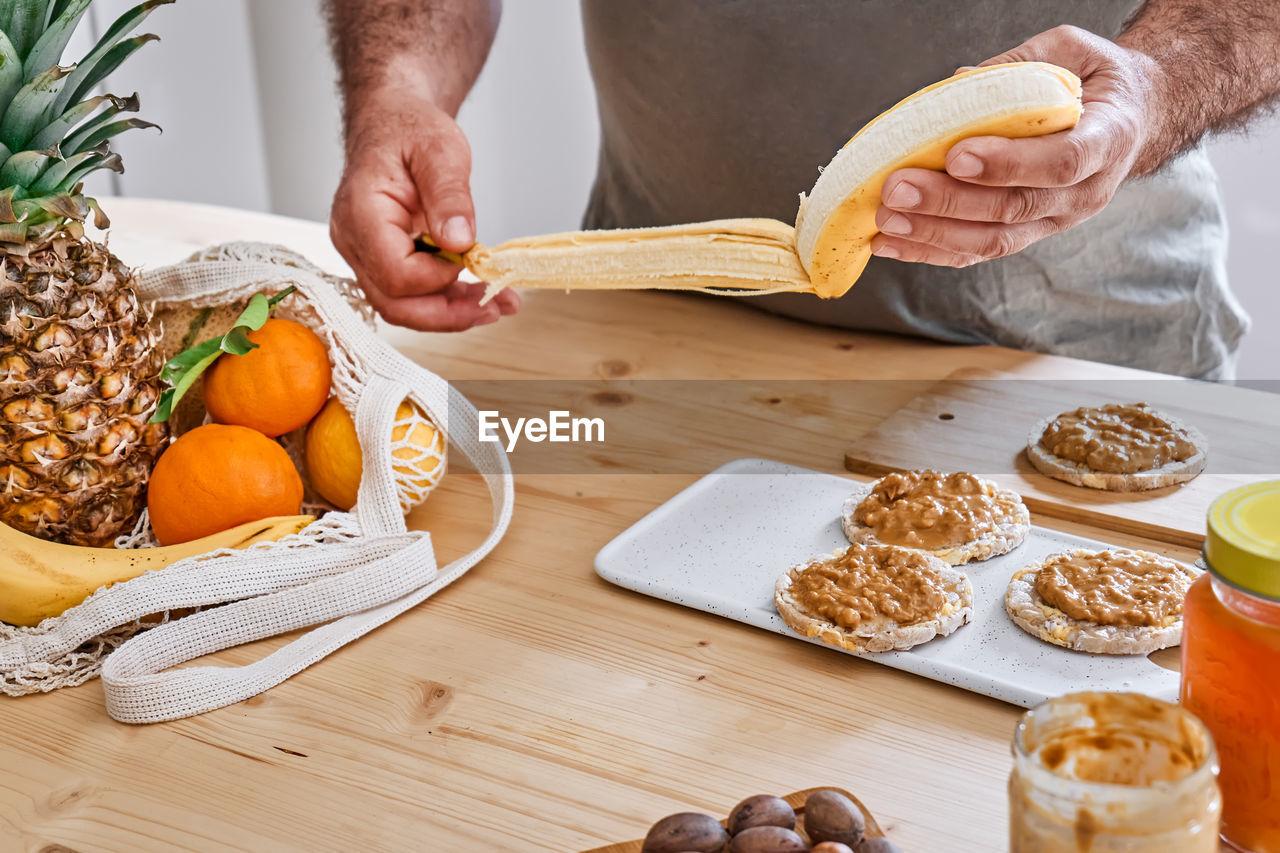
x=431 y=48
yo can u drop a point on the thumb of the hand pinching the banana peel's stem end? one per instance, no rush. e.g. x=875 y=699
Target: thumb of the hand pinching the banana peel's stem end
x=442 y=174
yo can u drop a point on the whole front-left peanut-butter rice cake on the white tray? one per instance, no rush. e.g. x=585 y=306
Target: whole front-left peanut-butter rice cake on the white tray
x=875 y=599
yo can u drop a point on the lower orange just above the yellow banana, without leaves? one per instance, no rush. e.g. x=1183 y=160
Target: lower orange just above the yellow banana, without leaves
x=217 y=477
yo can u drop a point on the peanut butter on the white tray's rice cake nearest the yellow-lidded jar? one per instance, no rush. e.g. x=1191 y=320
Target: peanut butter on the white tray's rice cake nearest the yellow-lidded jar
x=1114 y=587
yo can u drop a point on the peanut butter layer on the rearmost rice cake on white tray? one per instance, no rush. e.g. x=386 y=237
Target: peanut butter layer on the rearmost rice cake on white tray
x=930 y=510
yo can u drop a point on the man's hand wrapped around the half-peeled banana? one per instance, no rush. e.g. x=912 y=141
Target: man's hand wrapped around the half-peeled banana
x=998 y=197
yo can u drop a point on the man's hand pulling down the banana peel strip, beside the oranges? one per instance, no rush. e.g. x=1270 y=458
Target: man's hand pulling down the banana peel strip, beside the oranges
x=408 y=174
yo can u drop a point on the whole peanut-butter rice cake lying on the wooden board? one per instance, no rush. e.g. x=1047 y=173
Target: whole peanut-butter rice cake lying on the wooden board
x=1128 y=448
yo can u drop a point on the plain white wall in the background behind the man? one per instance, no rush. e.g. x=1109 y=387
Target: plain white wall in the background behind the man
x=245 y=93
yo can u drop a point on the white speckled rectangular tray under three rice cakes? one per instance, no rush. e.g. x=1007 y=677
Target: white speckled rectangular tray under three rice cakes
x=720 y=545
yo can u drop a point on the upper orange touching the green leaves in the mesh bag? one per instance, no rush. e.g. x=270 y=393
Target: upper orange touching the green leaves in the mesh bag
x=275 y=389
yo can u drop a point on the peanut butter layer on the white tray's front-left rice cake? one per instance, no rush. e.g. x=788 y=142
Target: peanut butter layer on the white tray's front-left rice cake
x=868 y=582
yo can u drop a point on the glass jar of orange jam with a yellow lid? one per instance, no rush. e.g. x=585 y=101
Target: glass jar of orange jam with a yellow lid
x=1232 y=660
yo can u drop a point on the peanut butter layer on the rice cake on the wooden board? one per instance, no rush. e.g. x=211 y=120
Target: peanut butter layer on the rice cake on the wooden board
x=1118 y=440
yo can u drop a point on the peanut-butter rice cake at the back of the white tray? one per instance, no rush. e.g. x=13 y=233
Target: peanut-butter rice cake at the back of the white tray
x=958 y=518
